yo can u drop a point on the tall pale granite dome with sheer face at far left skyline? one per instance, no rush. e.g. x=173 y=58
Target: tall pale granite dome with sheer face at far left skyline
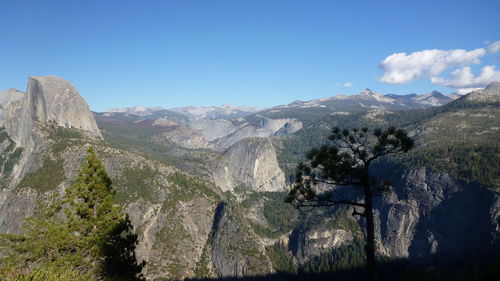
x=48 y=100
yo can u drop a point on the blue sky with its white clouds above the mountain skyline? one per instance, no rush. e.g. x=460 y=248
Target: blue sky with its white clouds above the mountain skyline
x=260 y=53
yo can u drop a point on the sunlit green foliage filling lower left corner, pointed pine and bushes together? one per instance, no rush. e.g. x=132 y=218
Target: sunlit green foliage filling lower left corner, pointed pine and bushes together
x=92 y=241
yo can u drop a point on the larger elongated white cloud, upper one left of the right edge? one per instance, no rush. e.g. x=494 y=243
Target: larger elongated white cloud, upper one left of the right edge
x=402 y=68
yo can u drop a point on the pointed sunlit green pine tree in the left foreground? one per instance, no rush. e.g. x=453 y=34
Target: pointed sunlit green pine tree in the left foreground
x=107 y=240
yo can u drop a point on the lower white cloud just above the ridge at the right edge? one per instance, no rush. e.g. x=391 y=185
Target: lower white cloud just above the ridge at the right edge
x=464 y=80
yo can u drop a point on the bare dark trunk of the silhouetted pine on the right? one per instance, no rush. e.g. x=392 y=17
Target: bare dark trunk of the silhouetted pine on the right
x=370 y=235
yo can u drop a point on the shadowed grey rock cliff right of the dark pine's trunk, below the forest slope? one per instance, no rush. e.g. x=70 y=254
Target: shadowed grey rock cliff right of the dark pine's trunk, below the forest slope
x=431 y=213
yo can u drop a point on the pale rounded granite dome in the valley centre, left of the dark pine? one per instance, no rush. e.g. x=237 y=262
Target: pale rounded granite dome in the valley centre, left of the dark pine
x=249 y=164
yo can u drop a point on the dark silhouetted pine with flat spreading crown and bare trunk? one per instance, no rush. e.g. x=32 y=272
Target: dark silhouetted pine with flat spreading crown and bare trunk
x=346 y=162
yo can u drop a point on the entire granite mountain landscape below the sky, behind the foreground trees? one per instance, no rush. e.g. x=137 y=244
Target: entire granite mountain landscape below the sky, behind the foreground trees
x=204 y=186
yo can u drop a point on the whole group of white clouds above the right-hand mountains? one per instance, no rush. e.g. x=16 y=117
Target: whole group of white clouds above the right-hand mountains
x=400 y=68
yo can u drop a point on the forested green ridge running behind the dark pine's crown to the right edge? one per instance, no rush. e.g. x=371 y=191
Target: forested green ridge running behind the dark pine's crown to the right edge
x=460 y=138
